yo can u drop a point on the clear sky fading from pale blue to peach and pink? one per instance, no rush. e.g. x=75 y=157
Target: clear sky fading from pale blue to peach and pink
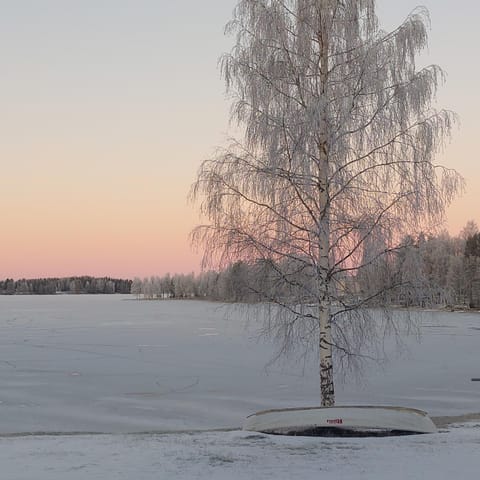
x=108 y=107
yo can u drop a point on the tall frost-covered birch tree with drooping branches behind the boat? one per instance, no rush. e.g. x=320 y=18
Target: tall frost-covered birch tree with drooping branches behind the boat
x=334 y=163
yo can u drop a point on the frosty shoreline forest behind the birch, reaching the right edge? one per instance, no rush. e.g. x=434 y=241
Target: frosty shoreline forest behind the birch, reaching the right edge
x=428 y=270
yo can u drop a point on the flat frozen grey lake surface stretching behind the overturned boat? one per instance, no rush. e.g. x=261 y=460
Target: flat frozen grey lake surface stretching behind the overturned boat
x=113 y=364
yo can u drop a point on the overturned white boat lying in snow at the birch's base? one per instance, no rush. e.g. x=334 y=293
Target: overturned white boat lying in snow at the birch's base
x=341 y=421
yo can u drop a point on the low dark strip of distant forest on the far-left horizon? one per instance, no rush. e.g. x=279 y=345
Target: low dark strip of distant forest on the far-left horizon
x=74 y=285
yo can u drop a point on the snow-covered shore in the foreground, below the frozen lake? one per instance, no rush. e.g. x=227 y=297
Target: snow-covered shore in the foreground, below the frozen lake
x=239 y=455
